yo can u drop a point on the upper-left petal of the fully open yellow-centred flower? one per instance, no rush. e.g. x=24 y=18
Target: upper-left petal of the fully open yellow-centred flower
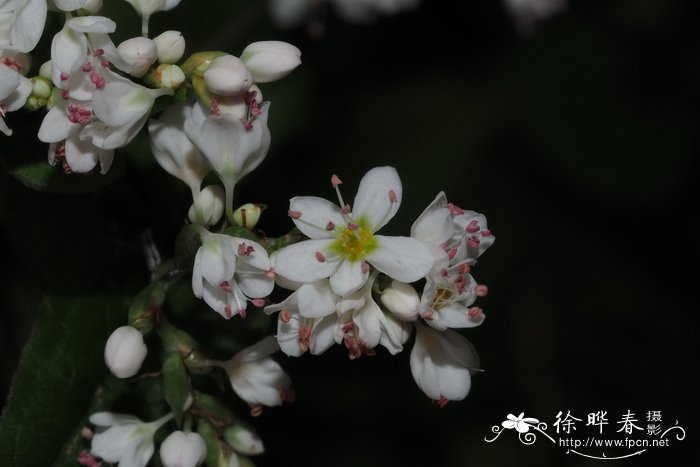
x=317 y=214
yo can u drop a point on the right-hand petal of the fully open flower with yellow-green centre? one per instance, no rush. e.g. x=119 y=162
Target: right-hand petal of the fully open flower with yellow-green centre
x=402 y=258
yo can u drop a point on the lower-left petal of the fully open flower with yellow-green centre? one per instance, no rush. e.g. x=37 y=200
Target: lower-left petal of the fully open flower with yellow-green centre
x=298 y=262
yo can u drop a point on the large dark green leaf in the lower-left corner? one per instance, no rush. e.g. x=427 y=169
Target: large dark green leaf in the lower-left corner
x=61 y=366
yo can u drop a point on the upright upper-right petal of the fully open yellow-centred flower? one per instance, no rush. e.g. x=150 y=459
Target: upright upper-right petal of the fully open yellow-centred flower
x=373 y=201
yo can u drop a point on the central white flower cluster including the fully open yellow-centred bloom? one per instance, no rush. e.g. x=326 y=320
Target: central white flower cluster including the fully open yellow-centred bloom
x=354 y=287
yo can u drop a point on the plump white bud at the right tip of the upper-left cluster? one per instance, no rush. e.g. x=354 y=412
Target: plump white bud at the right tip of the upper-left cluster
x=270 y=60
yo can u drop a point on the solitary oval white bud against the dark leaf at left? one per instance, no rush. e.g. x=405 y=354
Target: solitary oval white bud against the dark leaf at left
x=125 y=352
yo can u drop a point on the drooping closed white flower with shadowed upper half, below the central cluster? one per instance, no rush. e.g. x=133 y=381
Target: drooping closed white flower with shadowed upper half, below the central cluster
x=442 y=364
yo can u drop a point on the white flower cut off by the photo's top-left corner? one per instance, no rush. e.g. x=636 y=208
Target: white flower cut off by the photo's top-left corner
x=21 y=24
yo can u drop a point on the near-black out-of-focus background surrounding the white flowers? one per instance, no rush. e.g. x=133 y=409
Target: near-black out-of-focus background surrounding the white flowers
x=577 y=140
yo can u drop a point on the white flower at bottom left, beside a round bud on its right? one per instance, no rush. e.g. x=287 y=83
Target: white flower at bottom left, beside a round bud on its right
x=124 y=438
